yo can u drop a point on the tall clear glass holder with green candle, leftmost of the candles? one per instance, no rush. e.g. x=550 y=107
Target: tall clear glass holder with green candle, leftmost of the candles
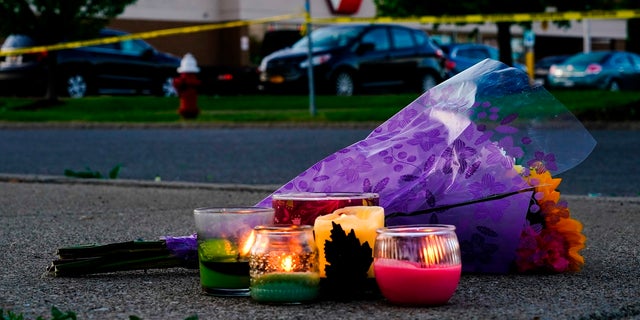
x=225 y=236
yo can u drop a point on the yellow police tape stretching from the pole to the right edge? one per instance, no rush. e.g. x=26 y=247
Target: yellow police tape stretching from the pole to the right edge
x=491 y=18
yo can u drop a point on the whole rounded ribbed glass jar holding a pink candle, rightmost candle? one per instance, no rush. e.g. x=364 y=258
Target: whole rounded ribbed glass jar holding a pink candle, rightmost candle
x=417 y=264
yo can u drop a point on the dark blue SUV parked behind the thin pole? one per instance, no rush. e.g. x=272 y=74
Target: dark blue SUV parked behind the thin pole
x=351 y=57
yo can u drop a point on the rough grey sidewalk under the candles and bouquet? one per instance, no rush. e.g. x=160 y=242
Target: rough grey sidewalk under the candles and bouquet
x=38 y=215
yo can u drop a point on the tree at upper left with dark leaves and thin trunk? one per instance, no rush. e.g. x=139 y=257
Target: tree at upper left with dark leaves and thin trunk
x=53 y=21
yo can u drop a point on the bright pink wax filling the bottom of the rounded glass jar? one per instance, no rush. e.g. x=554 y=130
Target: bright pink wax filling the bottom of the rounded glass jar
x=404 y=282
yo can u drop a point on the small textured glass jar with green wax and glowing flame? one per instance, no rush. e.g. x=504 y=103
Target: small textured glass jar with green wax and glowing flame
x=284 y=265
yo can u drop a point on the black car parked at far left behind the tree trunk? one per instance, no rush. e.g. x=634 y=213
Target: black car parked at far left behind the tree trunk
x=126 y=67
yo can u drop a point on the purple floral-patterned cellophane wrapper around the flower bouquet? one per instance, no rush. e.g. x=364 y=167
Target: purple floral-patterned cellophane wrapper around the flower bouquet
x=449 y=156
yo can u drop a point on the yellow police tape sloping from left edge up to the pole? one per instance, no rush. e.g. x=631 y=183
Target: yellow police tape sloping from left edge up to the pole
x=149 y=34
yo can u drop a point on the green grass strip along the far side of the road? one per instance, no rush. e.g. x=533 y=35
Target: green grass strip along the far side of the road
x=367 y=109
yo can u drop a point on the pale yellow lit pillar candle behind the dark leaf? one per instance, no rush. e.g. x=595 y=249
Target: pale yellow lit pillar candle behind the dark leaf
x=363 y=220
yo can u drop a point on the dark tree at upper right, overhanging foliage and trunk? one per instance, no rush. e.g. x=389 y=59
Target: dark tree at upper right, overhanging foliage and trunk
x=406 y=8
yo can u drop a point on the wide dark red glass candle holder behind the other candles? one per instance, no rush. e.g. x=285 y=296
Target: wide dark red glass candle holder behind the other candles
x=304 y=207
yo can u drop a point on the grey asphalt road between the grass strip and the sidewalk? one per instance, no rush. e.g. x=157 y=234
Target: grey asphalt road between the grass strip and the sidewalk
x=258 y=155
